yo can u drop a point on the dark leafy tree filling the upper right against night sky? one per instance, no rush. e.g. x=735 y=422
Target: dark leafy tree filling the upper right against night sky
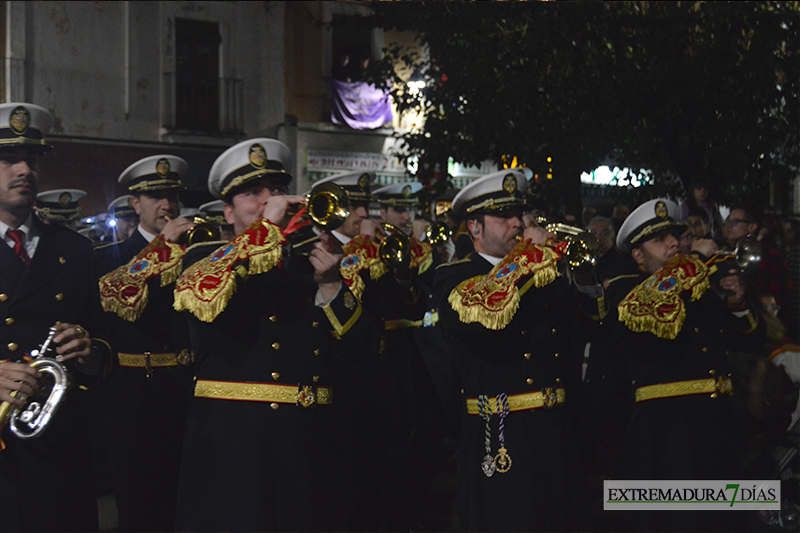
x=684 y=89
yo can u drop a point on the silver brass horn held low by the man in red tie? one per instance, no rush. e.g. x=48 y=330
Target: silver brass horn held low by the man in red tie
x=31 y=419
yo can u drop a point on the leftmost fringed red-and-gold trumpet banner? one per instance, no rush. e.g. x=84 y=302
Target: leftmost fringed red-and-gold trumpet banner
x=124 y=291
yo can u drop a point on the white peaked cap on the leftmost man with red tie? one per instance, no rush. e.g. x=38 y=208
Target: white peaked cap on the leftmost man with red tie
x=24 y=125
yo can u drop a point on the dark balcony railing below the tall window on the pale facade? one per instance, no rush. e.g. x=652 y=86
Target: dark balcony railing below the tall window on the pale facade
x=206 y=108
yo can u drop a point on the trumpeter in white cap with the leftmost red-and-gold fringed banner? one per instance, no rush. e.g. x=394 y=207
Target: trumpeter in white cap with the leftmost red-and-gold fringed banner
x=147 y=398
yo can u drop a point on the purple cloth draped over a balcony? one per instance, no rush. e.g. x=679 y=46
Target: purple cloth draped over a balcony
x=362 y=106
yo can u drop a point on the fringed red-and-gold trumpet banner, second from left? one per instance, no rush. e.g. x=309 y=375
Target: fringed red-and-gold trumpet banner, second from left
x=205 y=288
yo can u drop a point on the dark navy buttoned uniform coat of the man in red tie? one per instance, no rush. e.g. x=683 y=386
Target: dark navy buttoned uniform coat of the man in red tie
x=53 y=471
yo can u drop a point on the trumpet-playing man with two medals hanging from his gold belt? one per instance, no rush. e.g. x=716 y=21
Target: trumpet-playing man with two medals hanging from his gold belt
x=506 y=315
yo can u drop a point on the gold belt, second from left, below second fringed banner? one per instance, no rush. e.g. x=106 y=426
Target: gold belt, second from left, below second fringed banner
x=258 y=392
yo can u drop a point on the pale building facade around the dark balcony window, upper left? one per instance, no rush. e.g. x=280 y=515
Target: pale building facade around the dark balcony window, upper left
x=99 y=66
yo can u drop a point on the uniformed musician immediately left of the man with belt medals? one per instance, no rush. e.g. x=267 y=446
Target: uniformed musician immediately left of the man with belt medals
x=410 y=423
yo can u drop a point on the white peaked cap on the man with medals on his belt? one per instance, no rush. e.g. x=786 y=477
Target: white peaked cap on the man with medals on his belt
x=498 y=191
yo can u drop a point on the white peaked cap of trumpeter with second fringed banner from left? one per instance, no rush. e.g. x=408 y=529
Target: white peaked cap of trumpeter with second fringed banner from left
x=246 y=161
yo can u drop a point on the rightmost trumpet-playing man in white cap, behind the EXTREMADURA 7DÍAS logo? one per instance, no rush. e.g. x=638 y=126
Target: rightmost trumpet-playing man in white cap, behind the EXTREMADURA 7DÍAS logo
x=677 y=321
